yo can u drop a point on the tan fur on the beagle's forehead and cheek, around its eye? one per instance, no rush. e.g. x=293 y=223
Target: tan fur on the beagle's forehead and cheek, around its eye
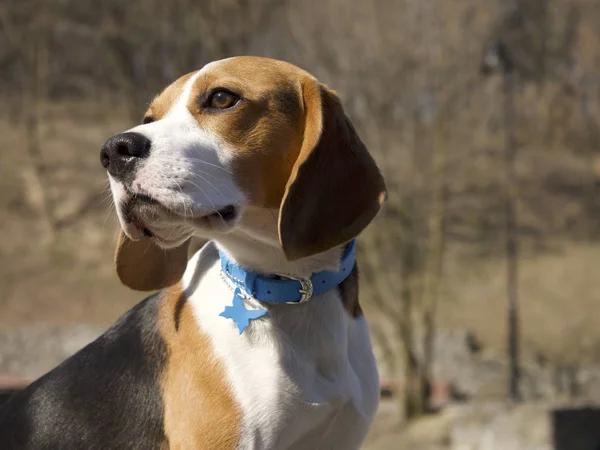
x=265 y=128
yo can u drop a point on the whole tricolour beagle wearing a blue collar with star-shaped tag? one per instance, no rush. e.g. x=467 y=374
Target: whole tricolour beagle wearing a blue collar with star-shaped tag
x=258 y=341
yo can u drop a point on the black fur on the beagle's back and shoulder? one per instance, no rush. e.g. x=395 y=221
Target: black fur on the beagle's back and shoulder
x=105 y=396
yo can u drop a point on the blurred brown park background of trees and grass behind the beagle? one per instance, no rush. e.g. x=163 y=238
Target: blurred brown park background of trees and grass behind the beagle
x=480 y=276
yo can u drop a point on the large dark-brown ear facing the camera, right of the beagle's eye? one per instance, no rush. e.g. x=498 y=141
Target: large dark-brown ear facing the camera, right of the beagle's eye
x=335 y=188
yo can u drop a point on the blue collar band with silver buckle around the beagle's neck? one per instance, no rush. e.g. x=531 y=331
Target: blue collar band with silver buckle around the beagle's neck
x=279 y=289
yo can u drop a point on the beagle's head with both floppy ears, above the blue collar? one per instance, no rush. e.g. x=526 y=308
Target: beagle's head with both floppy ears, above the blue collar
x=241 y=138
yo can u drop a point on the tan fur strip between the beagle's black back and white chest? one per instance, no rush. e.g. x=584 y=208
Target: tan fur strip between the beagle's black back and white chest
x=200 y=409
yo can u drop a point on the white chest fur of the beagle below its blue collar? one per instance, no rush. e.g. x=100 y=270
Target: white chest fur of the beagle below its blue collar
x=304 y=375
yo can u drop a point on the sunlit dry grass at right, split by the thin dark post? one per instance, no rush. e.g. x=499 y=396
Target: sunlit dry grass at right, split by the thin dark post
x=559 y=295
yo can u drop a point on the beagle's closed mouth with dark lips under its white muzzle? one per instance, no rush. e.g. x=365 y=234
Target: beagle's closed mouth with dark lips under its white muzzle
x=143 y=216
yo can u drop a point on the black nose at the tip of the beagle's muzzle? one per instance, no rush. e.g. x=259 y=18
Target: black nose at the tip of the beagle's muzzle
x=121 y=152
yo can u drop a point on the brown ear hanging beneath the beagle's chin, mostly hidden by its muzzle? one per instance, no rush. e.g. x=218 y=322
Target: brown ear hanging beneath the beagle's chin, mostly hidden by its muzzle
x=143 y=266
